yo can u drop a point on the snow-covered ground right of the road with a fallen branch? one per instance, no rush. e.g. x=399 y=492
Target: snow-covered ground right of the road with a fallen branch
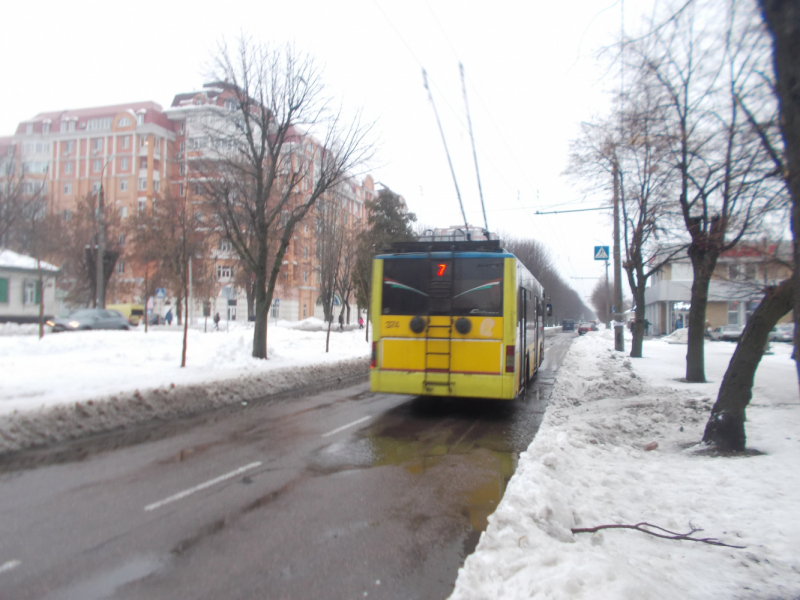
x=589 y=466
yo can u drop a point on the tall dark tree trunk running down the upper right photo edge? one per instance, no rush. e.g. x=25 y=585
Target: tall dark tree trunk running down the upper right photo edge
x=783 y=19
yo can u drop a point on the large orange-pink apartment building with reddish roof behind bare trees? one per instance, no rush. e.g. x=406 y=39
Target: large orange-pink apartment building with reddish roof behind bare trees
x=135 y=150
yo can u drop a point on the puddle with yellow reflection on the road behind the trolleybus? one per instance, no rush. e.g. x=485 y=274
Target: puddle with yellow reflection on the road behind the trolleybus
x=467 y=450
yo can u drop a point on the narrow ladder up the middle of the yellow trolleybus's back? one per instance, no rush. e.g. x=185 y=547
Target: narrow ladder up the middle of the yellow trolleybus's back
x=440 y=291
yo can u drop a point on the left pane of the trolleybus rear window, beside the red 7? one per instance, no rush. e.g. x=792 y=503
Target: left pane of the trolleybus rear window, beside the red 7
x=404 y=287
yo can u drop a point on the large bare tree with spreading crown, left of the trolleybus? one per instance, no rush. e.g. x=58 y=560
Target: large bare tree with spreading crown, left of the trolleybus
x=277 y=148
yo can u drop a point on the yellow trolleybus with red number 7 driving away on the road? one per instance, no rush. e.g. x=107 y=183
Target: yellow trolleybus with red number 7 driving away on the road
x=459 y=319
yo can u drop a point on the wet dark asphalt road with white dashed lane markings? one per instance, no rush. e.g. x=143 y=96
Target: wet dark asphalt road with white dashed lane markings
x=340 y=494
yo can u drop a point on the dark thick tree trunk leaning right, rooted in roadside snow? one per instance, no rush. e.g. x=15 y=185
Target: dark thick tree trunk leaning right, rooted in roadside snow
x=725 y=427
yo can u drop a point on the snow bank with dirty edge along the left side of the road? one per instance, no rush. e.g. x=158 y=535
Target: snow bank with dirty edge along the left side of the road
x=72 y=384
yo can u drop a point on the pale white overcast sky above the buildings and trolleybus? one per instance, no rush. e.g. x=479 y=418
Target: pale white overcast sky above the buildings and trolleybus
x=532 y=77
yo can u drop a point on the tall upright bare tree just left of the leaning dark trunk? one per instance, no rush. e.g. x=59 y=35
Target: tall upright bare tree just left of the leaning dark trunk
x=702 y=67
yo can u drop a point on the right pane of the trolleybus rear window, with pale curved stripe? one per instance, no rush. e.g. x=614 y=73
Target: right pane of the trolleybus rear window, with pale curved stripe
x=478 y=287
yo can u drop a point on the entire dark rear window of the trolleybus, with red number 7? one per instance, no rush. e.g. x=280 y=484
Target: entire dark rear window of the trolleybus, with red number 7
x=477 y=287
